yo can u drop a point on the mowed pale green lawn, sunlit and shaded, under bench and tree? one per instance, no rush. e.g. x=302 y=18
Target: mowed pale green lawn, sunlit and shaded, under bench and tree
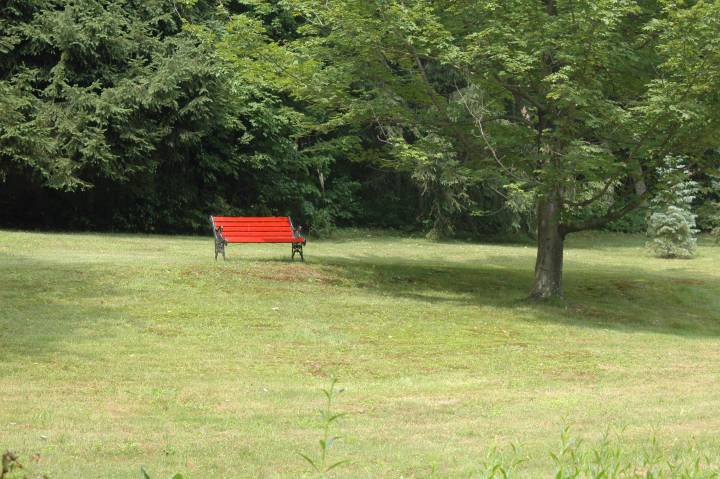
x=118 y=351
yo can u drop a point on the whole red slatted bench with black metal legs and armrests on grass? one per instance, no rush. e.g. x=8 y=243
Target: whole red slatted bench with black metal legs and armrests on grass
x=243 y=229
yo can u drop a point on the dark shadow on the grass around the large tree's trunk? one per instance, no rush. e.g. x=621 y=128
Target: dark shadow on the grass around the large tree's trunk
x=616 y=298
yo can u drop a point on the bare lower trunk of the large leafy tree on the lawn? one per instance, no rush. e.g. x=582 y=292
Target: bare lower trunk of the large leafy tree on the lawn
x=551 y=239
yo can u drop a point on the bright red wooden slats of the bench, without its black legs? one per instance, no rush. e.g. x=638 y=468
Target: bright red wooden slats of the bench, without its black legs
x=242 y=229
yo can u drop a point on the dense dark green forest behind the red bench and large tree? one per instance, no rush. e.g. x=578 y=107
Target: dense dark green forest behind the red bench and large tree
x=130 y=115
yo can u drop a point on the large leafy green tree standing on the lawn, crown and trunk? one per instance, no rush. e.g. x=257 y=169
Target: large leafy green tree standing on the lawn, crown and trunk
x=570 y=102
